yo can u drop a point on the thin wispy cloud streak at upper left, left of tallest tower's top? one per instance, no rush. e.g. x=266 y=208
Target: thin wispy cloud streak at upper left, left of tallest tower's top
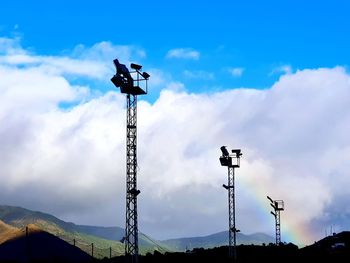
x=89 y=62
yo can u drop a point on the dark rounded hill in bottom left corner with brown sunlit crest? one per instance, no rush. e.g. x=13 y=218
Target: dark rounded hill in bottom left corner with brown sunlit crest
x=35 y=245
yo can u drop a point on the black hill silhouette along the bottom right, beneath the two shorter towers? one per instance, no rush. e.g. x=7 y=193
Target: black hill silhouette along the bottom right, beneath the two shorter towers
x=326 y=250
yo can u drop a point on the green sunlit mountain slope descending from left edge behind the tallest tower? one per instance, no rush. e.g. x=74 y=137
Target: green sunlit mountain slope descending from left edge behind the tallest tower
x=102 y=237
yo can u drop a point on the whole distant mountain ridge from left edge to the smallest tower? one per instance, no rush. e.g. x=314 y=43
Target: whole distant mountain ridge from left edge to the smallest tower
x=110 y=236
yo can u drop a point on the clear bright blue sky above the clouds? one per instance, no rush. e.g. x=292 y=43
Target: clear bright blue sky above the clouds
x=257 y=36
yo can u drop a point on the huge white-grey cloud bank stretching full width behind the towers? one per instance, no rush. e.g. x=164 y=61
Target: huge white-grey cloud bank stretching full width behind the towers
x=71 y=162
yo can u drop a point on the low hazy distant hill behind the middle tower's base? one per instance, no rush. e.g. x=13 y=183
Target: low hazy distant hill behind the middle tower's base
x=215 y=240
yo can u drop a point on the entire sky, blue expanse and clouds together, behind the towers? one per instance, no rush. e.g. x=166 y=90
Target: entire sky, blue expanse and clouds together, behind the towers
x=270 y=77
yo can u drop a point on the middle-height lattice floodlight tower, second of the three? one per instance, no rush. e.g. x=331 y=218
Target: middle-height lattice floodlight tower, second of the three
x=231 y=161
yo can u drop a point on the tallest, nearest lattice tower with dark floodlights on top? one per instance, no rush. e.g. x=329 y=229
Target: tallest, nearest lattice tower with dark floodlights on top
x=129 y=83
